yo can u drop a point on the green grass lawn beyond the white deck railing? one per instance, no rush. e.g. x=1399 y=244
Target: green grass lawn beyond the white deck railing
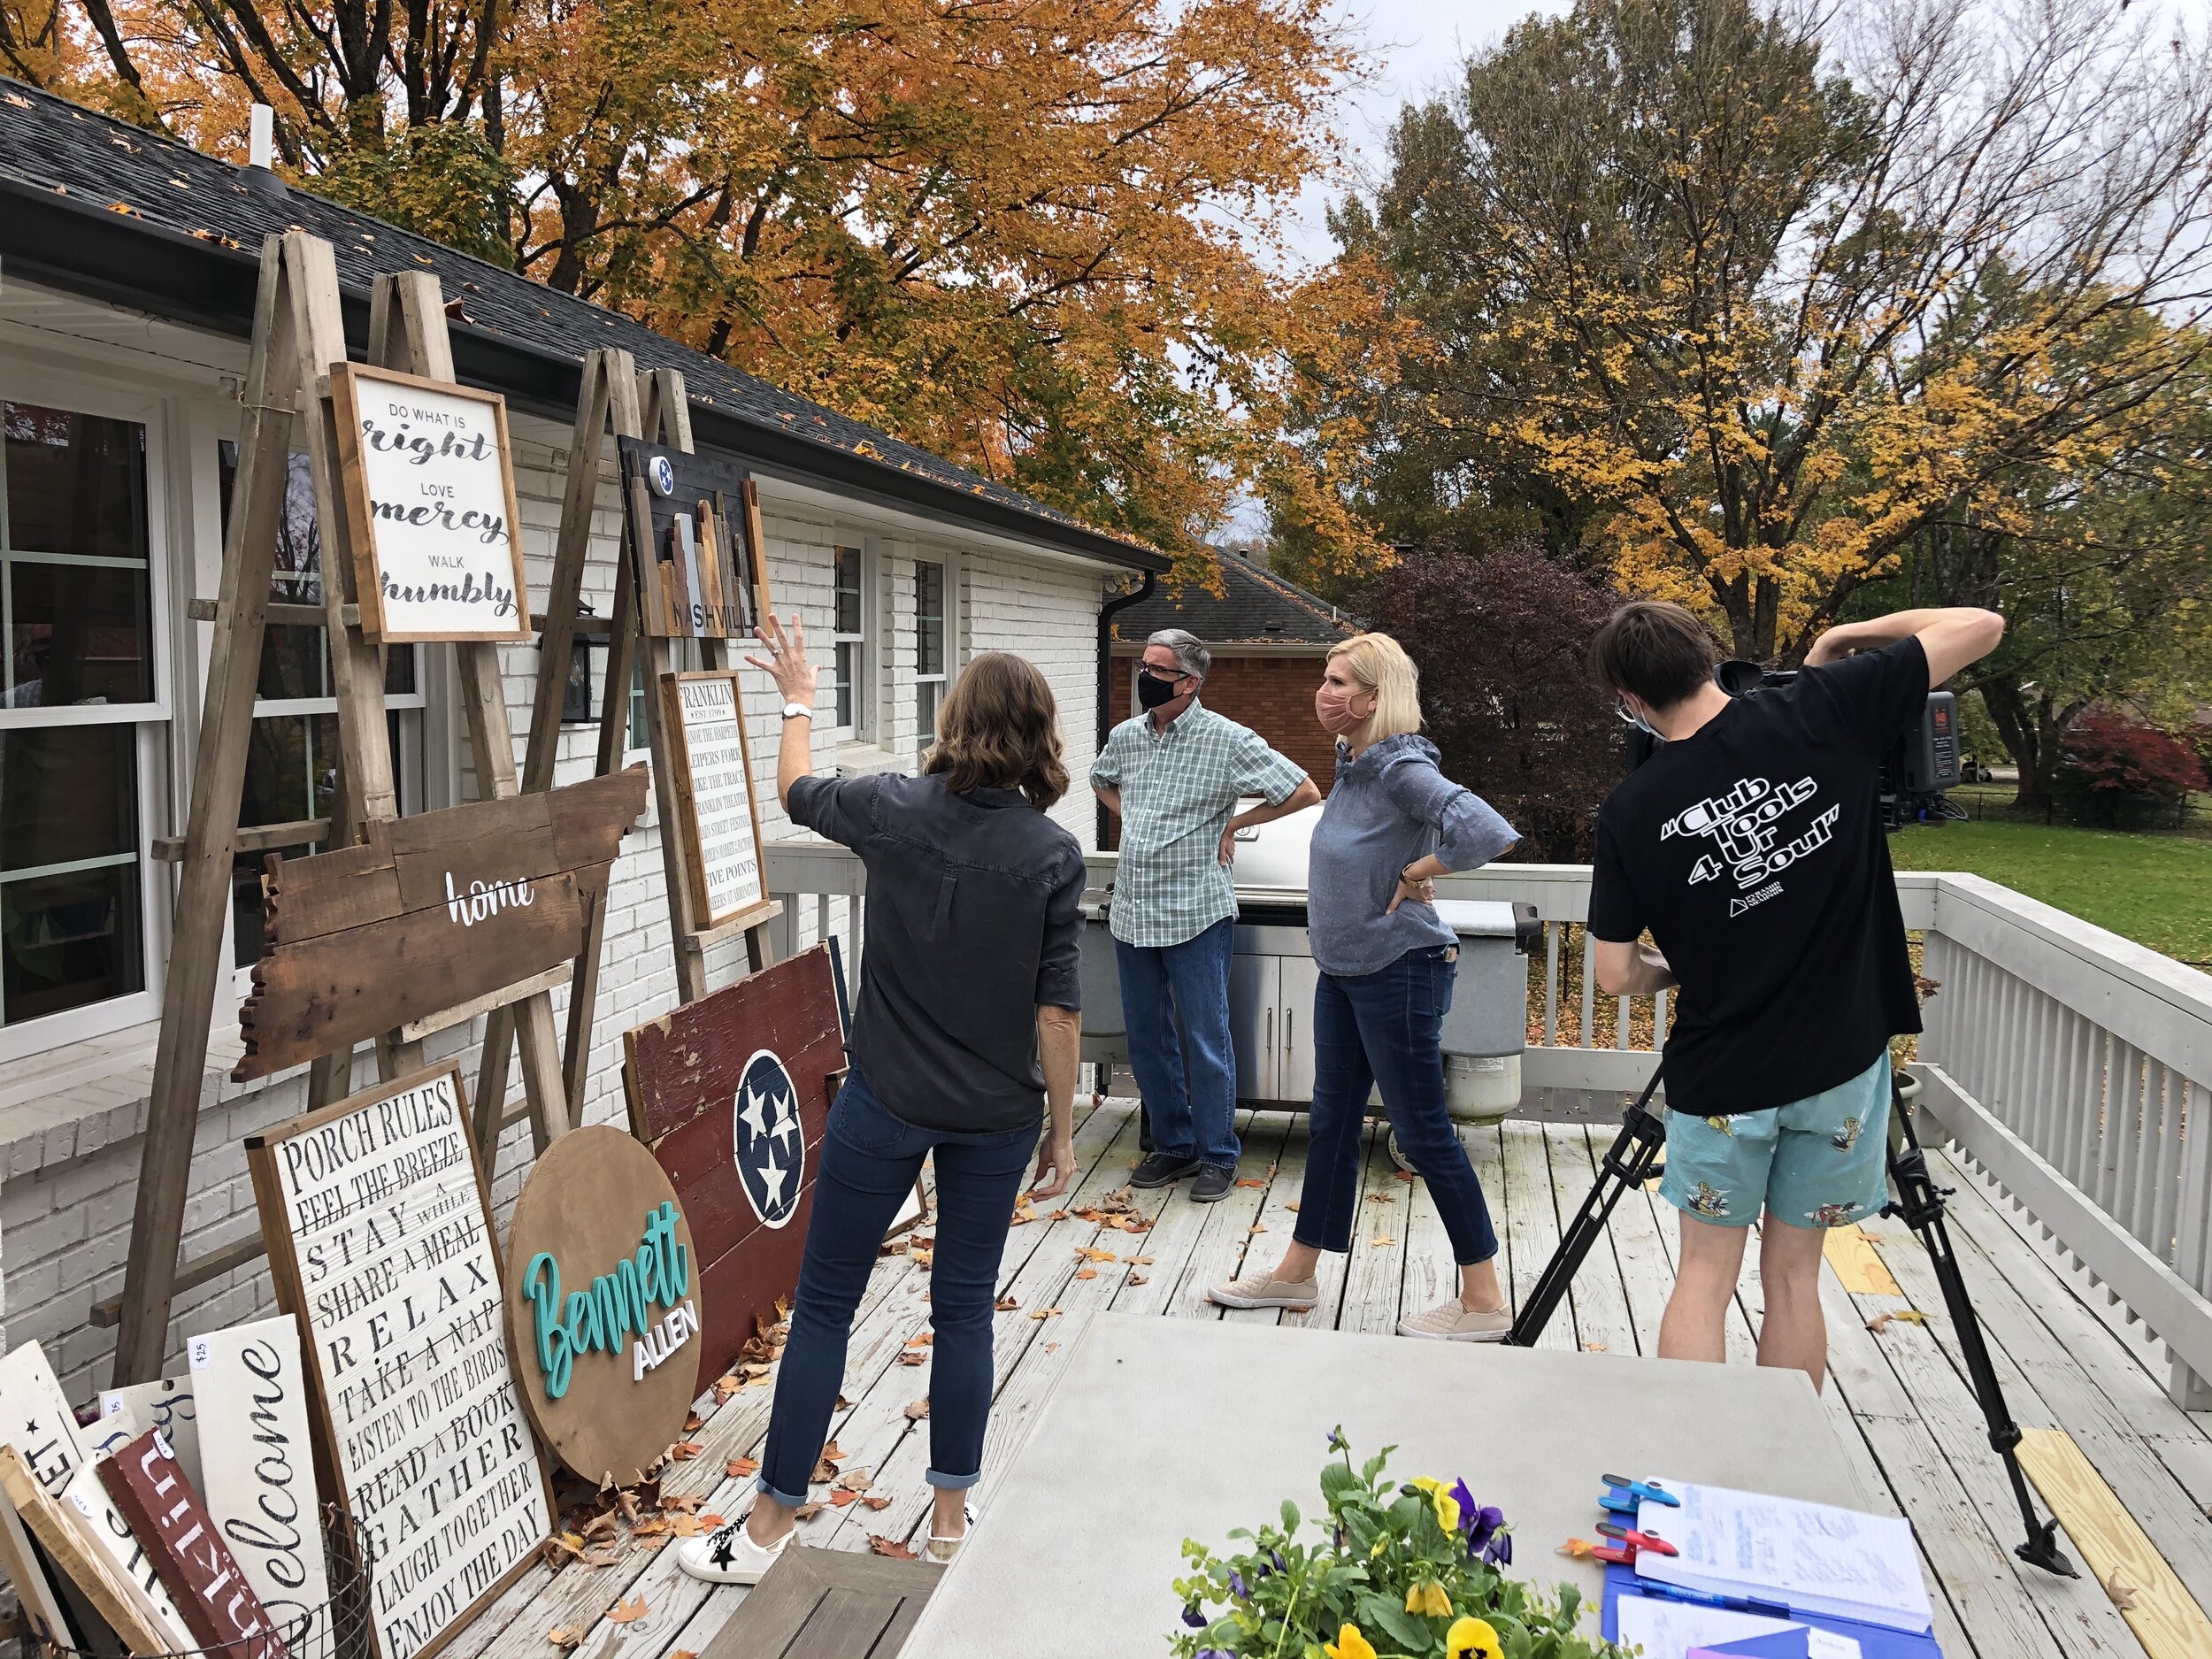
x=2156 y=890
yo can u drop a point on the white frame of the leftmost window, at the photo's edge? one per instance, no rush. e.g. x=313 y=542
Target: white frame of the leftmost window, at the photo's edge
x=96 y=397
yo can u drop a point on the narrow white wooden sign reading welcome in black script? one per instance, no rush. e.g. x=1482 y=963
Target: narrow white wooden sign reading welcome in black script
x=258 y=1463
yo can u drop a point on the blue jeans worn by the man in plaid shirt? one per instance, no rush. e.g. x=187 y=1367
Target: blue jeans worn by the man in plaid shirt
x=1189 y=1081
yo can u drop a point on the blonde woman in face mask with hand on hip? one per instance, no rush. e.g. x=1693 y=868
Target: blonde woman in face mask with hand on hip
x=1390 y=828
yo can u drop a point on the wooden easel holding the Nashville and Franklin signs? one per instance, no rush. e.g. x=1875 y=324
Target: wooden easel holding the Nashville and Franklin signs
x=654 y=408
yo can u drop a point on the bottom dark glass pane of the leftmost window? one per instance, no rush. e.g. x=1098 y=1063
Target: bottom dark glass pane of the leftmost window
x=70 y=939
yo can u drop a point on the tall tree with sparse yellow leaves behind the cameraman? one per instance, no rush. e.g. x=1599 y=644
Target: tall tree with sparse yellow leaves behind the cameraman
x=1735 y=298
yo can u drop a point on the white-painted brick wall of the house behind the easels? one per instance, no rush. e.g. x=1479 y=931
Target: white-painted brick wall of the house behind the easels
x=70 y=1191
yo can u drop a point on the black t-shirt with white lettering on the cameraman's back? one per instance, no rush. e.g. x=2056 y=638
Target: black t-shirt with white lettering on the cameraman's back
x=1755 y=855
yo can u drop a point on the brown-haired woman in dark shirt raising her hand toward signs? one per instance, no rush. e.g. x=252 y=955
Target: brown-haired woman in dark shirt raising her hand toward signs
x=968 y=1027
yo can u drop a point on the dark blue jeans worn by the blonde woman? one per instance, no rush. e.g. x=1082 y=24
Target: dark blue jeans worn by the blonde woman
x=1388 y=1030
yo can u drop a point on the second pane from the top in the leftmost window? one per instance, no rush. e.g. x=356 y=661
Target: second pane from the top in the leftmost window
x=79 y=636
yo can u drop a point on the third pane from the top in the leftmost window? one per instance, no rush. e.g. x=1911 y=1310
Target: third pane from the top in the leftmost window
x=67 y=793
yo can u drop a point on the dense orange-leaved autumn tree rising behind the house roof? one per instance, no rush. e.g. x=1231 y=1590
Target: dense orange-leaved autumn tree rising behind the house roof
x=1034 y=236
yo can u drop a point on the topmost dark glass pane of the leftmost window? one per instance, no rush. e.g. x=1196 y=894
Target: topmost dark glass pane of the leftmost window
x=76 y=483
